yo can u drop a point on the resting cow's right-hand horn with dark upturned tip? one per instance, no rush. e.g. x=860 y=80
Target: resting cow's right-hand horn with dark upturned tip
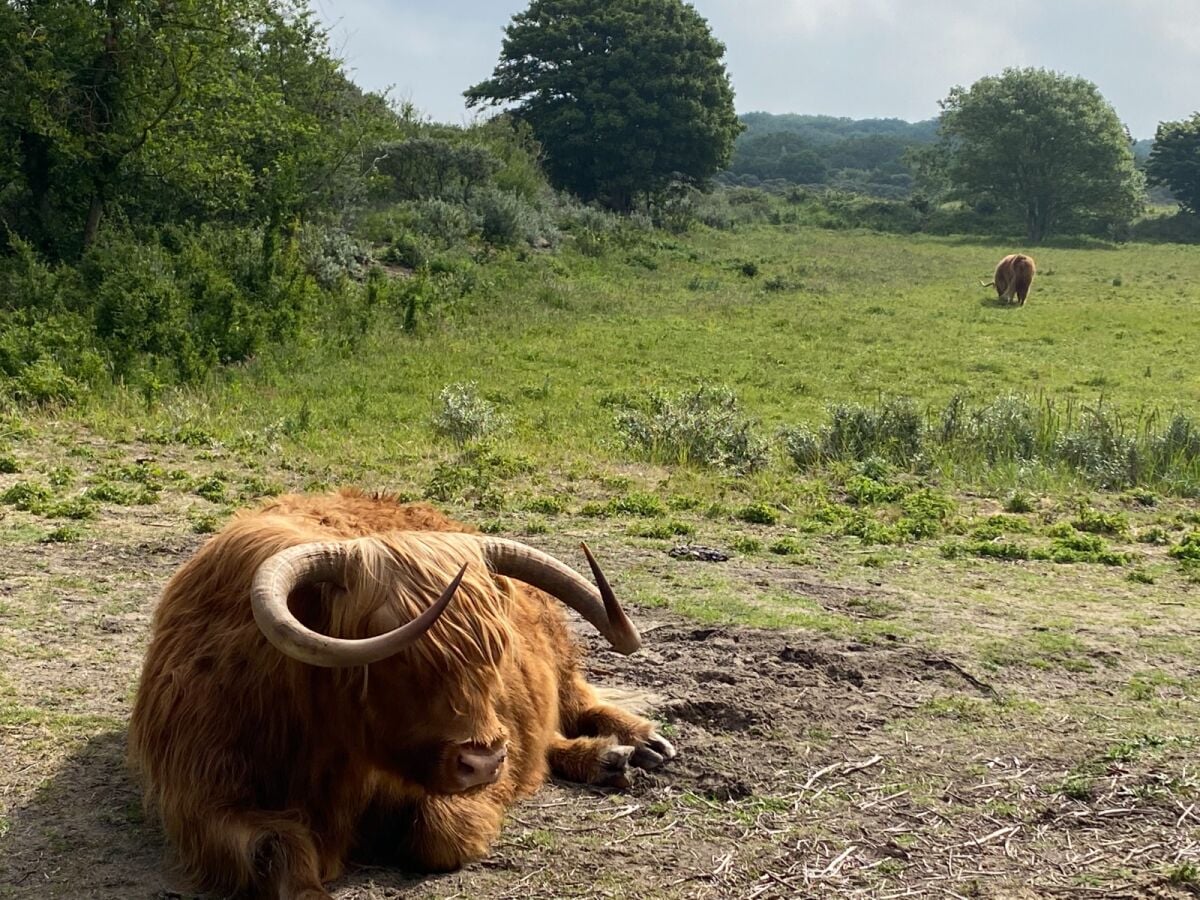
x=544 y=572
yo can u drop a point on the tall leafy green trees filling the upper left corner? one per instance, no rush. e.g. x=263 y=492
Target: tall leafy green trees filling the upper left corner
x=169 y=111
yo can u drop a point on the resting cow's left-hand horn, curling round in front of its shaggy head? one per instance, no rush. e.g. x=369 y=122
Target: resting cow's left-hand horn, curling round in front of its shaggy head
x=326 y=561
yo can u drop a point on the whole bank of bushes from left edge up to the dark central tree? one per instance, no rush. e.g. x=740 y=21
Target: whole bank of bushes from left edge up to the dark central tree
x=165 y=304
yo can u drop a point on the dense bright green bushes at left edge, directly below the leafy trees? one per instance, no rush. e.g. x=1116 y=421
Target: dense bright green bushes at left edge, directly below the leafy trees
x=169 y=305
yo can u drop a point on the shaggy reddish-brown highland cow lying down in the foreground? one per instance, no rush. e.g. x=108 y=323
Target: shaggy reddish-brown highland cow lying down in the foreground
x=344 y=675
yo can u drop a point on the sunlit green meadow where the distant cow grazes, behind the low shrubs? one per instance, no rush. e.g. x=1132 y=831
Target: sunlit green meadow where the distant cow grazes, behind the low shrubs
x=829 y=317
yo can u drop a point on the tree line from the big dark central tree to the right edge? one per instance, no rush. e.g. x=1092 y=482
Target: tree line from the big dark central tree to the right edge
x=632 y=95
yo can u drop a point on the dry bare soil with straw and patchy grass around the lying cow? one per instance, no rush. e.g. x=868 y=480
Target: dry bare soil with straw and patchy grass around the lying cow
x=811 y=763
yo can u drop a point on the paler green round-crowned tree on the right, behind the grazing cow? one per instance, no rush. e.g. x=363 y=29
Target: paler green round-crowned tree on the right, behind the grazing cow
x=1043 y=147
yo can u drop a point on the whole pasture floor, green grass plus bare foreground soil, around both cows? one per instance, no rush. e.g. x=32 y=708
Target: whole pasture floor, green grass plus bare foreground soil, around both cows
x=902 y=680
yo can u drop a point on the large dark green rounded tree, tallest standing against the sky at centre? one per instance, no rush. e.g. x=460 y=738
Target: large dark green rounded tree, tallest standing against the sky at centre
x=623 y=95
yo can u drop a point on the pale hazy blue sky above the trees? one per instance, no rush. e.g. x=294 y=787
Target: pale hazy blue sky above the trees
x=854 y=58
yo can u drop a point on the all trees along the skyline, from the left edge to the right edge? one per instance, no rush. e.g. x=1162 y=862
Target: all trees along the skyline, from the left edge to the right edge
x=188 y=112
